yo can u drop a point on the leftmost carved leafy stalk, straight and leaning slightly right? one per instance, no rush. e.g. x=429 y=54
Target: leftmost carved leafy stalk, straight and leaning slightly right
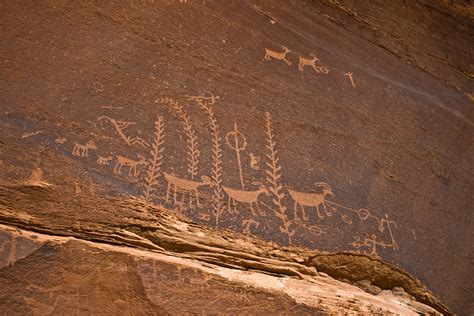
x=156 y=152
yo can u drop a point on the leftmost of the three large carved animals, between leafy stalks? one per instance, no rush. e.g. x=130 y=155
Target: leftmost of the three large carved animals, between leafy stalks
x=190 y=186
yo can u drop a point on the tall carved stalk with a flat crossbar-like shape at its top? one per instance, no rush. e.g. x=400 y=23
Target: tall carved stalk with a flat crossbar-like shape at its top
x=205 y=103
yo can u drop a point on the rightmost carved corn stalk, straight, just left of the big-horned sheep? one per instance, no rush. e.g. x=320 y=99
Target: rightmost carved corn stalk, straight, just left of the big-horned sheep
x=273 y=178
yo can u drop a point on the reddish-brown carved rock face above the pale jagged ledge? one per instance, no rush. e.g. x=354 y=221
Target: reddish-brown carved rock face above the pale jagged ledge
x=103 y=102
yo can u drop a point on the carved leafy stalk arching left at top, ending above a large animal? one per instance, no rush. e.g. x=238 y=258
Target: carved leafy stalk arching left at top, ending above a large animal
x=191 y=137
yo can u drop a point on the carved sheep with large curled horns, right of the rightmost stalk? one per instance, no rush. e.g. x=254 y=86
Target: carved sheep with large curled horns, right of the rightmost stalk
x=312 y=199
